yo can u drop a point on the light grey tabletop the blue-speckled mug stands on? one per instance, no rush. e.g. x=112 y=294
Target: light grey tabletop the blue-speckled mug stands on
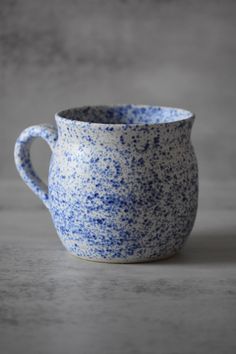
x=52 y=302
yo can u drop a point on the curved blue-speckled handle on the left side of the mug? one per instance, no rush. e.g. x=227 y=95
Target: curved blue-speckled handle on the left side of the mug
x=23 y=161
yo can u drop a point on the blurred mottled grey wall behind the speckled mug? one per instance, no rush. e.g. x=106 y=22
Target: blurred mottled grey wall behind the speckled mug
x=58 y=53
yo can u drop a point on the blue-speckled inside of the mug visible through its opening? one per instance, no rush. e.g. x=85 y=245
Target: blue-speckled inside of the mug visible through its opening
x=126 y=114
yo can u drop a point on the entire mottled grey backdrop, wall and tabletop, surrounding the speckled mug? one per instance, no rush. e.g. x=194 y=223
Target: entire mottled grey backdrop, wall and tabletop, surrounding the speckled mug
x=60 y=53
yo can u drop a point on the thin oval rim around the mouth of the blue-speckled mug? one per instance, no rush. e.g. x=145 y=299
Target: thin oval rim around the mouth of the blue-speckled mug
x=189 y=115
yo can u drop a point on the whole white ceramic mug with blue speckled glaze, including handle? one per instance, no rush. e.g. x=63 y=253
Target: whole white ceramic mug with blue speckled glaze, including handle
x=123 y=180
